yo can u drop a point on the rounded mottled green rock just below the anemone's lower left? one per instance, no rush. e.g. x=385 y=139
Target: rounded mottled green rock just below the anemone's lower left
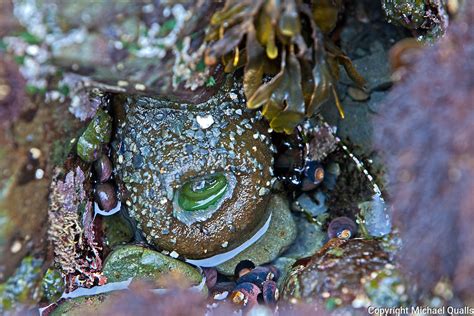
x=142 y=263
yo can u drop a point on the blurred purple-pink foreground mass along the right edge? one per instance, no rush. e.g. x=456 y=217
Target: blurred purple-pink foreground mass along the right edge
x=426 y=133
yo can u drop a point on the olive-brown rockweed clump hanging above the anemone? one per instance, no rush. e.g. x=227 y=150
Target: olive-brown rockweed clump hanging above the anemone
x=290 y=69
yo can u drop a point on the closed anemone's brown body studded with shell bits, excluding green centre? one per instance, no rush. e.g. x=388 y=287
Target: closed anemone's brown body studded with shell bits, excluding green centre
x=161 y=145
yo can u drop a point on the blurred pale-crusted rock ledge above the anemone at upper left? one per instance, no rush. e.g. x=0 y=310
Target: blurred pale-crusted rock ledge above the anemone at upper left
x=129 y=64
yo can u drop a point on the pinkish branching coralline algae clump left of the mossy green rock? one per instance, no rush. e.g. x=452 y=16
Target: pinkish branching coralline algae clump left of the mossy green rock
x=79 y=260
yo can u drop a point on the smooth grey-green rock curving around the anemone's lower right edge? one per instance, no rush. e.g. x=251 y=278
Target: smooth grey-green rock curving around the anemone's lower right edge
x=281 y=233
